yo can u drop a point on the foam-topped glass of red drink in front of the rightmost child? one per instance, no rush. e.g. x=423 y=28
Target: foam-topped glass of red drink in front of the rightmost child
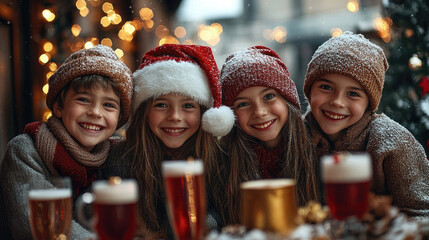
x=347 y=183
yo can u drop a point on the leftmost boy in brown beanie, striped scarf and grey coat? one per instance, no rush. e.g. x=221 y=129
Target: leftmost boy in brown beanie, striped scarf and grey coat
x=90 y=97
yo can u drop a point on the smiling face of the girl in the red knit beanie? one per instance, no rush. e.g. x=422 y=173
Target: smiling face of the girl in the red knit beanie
x=261 y=112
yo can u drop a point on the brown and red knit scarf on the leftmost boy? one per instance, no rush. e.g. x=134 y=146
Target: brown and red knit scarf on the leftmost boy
x=62 y=154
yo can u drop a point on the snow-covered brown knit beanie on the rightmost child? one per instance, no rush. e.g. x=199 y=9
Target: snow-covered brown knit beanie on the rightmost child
x=354 y=56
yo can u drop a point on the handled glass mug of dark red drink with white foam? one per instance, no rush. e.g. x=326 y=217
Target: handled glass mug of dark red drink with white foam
x=114 y=204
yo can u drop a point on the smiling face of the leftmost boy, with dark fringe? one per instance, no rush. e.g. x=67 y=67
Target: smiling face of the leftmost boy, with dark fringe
x=89 y=115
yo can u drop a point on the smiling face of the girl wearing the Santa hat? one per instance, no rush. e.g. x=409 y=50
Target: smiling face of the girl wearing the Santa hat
x=174 y=119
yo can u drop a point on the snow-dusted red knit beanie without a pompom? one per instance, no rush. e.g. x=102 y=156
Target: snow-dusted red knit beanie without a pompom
x=256 y=66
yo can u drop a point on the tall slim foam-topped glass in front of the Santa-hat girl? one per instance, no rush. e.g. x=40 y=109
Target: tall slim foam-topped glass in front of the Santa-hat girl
x=185 y=198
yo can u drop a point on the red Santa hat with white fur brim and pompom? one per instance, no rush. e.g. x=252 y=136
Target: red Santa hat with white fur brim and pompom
x=190 y=70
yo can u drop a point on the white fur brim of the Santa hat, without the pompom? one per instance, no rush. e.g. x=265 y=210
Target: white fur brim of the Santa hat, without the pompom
x=170 y=76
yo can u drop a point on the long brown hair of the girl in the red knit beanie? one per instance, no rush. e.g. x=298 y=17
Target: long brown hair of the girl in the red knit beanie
x=241 y=164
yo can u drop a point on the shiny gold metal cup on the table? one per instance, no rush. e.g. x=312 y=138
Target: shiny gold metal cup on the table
x=269 y=205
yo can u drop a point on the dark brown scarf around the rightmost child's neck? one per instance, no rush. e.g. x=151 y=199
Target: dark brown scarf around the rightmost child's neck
x=353 y=138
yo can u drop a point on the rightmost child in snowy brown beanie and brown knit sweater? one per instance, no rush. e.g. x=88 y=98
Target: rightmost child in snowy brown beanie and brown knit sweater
x=343 y=85
